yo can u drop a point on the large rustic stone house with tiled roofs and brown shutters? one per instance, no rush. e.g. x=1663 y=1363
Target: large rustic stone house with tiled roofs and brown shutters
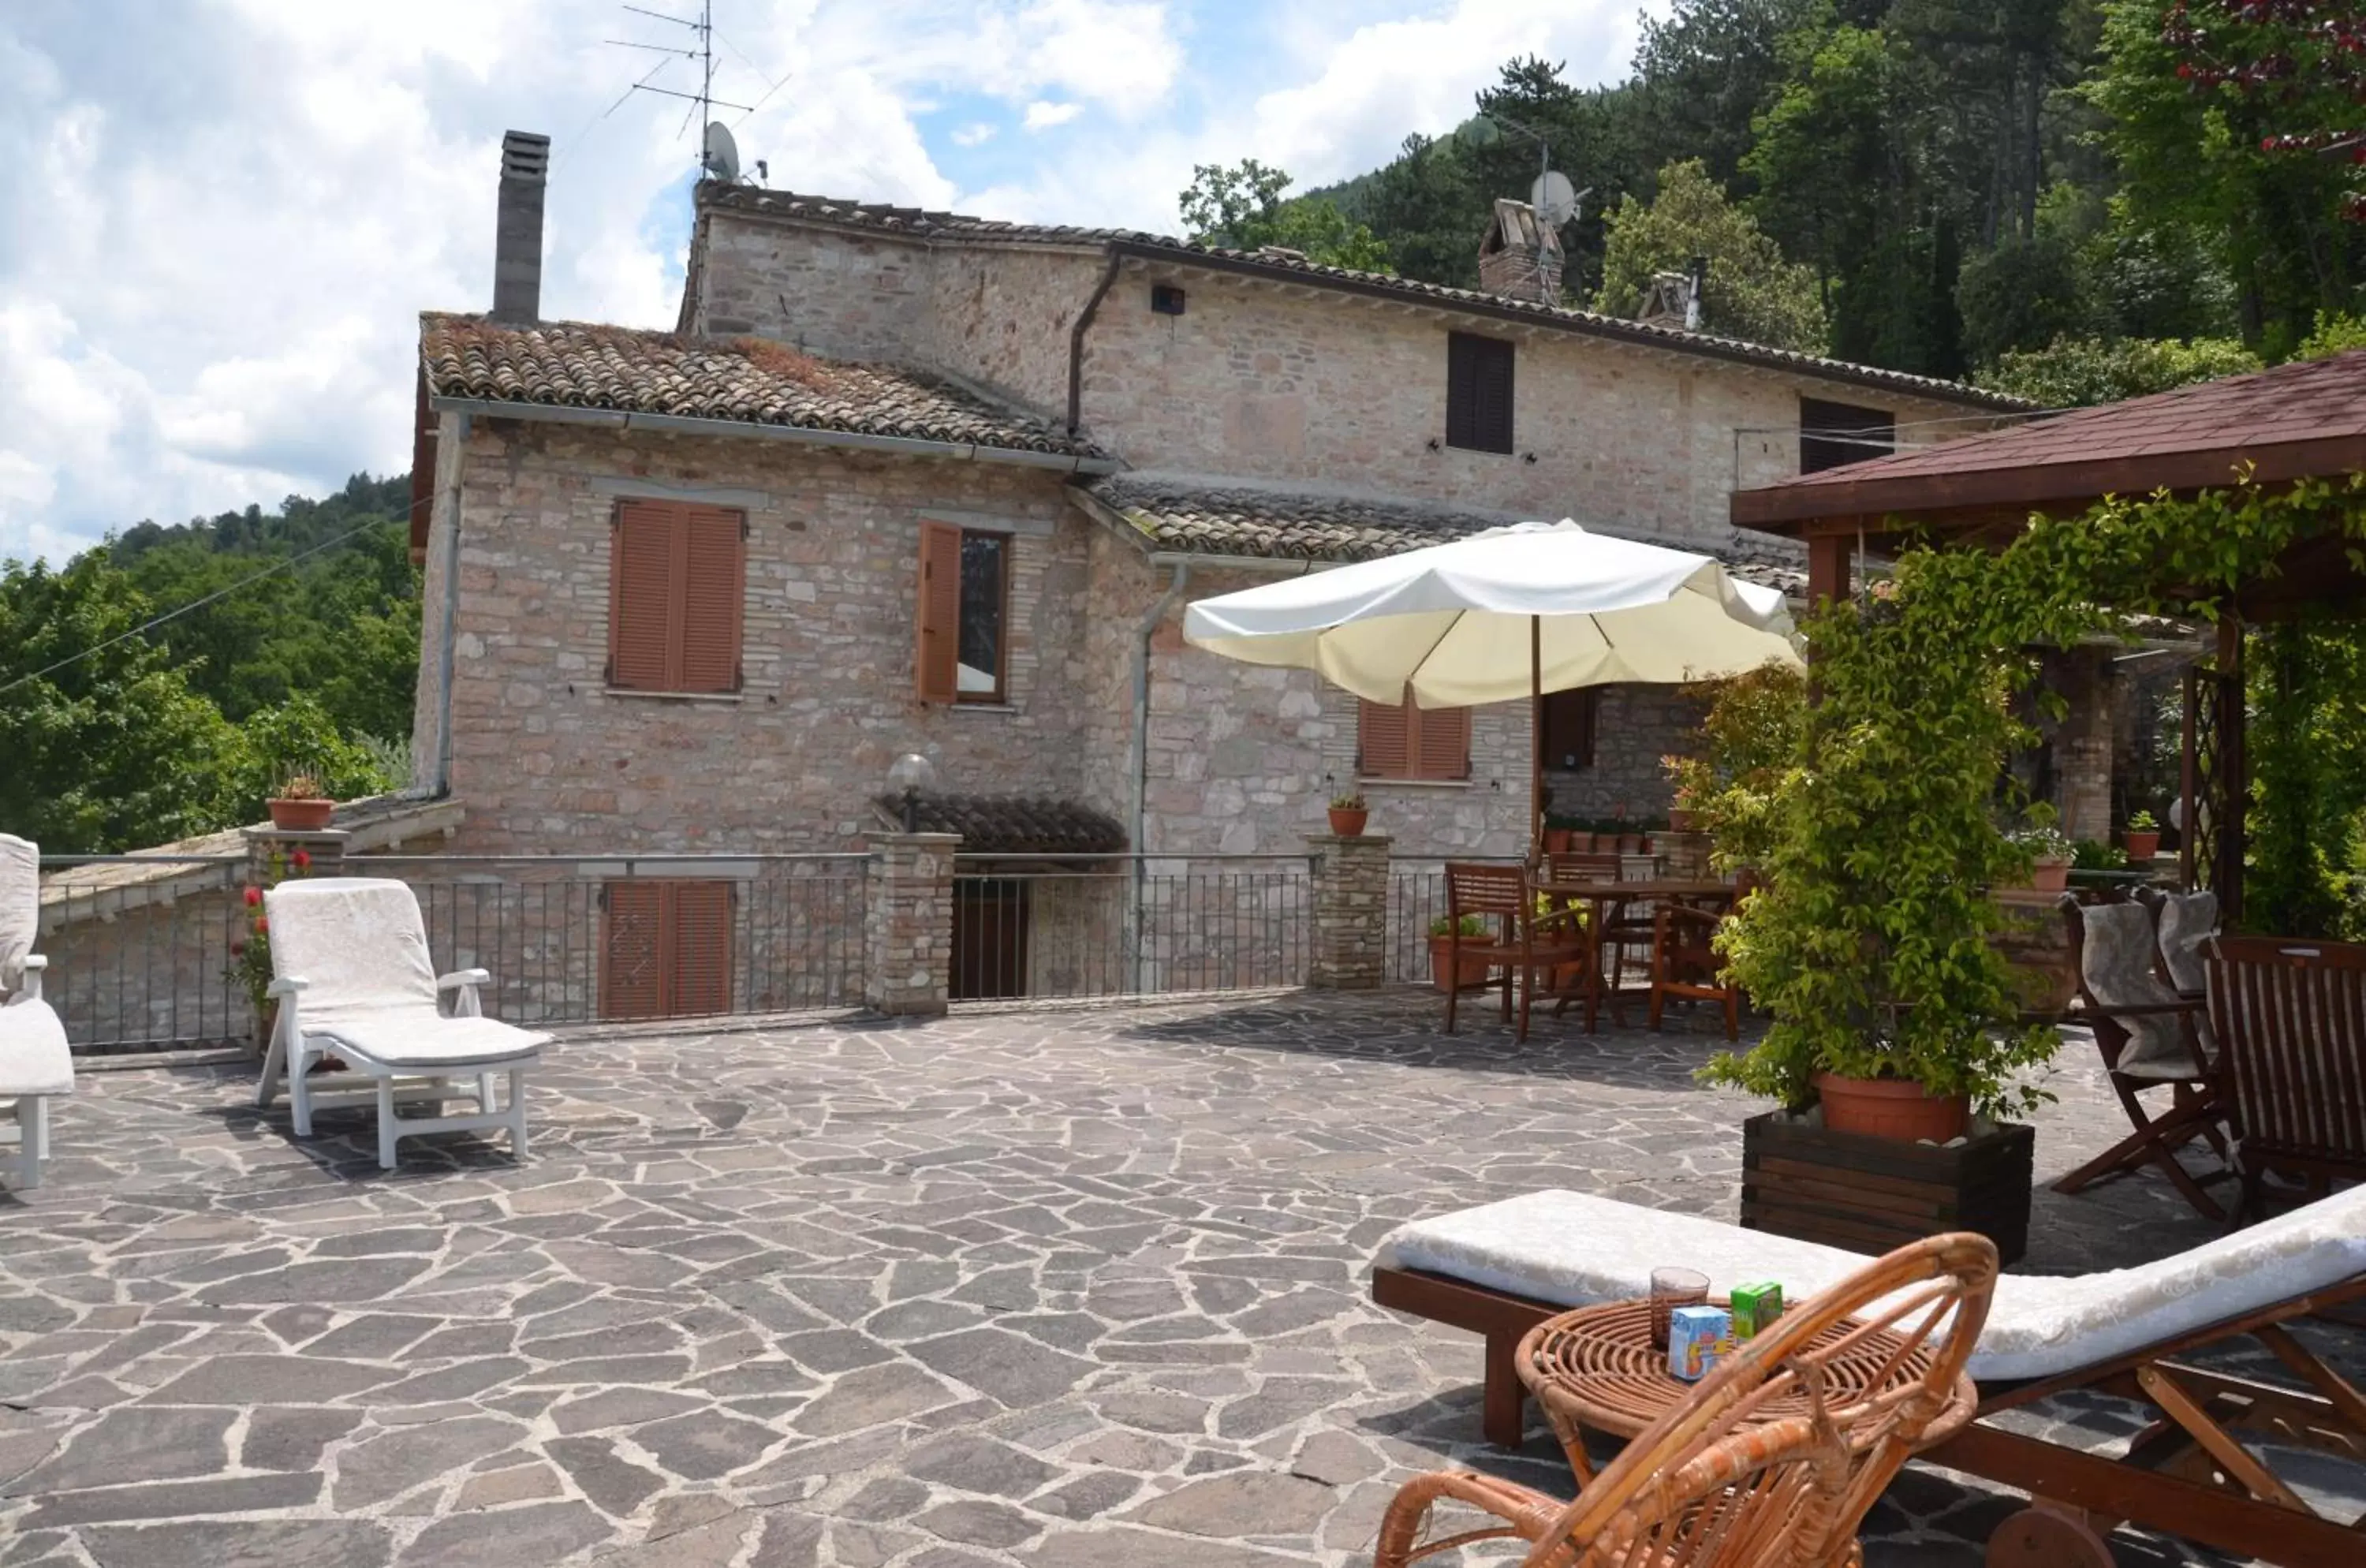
x=910 y=481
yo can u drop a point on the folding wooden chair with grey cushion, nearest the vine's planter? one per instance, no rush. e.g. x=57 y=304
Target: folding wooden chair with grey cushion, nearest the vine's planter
x=2152 y=1039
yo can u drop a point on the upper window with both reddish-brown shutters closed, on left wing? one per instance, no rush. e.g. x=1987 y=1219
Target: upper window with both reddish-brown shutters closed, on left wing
x=675 y=590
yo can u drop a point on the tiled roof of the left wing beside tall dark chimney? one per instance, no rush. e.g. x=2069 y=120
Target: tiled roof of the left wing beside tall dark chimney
x=739 y=382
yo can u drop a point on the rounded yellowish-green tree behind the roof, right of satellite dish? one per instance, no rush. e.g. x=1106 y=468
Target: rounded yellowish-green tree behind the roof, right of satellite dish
x=1752 y=294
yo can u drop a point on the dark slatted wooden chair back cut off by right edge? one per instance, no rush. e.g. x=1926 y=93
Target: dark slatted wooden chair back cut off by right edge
x=2291 y=1018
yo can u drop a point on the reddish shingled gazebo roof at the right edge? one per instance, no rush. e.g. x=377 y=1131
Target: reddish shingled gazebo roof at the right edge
x=2291 y=422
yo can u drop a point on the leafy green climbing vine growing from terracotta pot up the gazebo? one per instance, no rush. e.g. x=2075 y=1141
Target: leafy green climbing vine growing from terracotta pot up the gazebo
x=1870 y=942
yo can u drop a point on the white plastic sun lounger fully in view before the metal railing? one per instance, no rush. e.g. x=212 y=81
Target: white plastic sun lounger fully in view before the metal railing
x=354 y=983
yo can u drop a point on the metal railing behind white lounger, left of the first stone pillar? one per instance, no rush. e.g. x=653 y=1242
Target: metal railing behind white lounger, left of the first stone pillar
x=141 y=947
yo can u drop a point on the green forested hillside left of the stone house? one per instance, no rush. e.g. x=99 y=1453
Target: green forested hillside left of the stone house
x=119 y=739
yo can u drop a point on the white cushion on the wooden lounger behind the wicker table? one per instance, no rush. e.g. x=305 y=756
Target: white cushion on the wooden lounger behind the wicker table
x=1577 y=1250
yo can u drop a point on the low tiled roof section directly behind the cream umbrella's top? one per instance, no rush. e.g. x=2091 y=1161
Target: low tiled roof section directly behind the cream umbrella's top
x=1295 y=524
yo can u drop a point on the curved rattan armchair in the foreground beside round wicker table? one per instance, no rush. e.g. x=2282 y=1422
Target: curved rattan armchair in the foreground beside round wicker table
x=1714 y=1484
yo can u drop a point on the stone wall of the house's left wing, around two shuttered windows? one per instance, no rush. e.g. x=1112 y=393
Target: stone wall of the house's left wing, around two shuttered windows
x=552 y=760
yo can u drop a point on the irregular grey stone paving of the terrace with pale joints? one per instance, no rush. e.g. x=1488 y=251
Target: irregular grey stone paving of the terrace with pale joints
x=1045 y=1290
